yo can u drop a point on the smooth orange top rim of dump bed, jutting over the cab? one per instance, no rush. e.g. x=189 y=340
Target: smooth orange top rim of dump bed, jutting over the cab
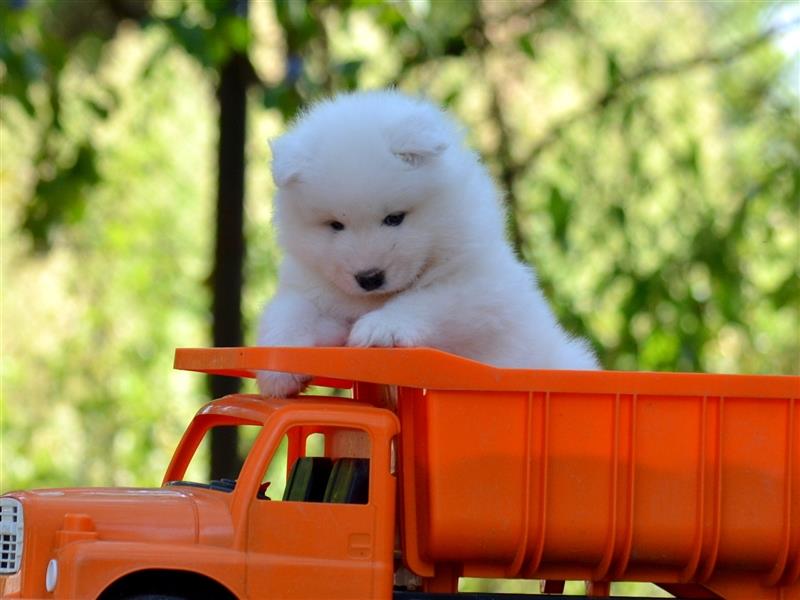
x=433 y=369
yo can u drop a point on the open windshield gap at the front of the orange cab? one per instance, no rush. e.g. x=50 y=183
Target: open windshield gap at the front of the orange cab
x=198 y=472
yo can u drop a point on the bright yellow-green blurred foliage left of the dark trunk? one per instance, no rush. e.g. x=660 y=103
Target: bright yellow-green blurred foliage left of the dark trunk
x=90 y=328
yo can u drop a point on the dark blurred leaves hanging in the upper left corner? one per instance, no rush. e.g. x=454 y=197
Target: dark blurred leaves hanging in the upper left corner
x=44 y=40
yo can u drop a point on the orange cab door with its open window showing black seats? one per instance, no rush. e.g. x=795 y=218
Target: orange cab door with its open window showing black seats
x=311 y=529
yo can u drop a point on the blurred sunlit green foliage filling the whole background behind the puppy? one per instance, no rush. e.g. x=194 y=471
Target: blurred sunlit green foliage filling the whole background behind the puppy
x=651 y=152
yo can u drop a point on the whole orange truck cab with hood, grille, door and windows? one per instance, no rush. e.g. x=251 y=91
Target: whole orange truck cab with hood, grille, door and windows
x=310 y=515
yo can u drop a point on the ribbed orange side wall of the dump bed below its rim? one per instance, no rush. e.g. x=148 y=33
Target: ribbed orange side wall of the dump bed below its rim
x=576 y=485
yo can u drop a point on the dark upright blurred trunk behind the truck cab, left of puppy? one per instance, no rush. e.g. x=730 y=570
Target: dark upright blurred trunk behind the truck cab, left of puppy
x=229 y=252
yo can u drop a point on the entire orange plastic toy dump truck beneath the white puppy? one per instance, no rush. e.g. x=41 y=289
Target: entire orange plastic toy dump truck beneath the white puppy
x=436 y=468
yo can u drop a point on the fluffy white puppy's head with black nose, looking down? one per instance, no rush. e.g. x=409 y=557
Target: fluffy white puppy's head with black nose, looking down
x=362 y=181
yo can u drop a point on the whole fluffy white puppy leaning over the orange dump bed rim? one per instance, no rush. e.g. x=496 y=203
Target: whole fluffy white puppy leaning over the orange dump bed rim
x=393 y=234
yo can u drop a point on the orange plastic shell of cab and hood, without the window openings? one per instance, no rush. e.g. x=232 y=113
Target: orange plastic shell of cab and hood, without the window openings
x=254 y=548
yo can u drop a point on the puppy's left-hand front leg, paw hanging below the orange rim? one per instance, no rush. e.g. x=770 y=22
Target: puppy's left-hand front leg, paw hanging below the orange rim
x=291 y=320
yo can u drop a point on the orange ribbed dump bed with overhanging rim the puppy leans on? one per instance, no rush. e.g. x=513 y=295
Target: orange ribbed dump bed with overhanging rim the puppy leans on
x=663 y=477
